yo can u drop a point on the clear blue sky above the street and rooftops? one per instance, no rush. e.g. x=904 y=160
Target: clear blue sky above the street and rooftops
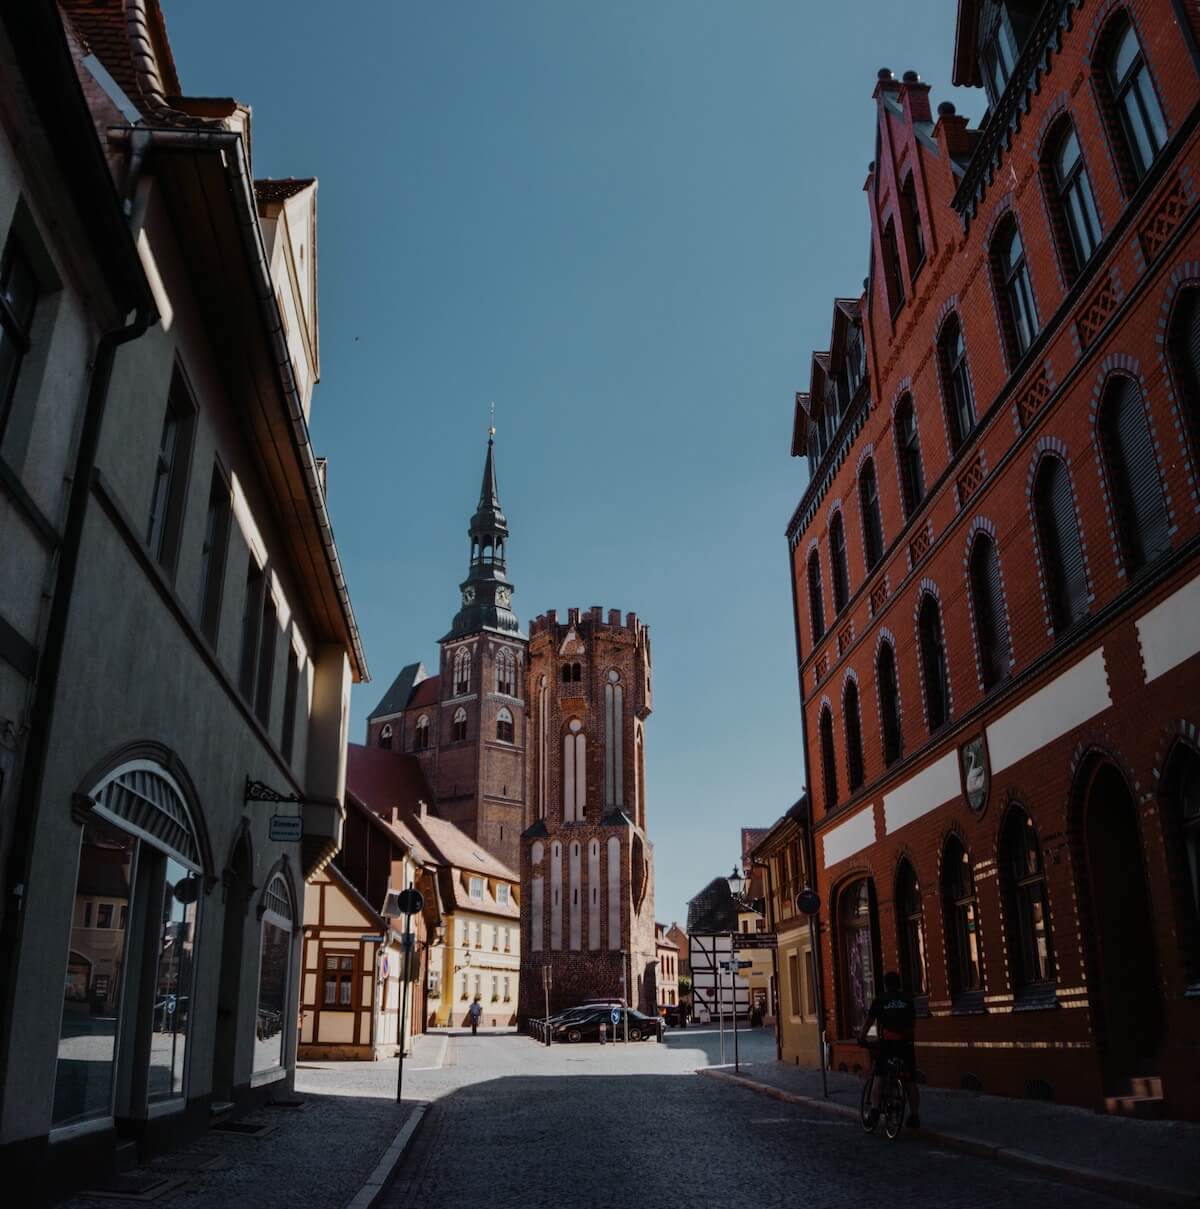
x=625 y=223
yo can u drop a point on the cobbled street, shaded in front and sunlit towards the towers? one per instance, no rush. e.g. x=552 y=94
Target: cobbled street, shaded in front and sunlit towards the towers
x=601 y=1127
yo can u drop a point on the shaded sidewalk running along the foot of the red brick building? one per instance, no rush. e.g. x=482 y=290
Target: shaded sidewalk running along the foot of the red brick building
x=1151 y=1162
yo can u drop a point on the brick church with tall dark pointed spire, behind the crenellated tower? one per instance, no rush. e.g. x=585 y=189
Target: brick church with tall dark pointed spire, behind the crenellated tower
x=467 y=724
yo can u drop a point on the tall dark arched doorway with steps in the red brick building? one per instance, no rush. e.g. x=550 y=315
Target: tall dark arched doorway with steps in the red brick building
x=1124 y=986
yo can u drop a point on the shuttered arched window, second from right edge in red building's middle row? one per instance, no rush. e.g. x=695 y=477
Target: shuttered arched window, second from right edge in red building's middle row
x=1133 y=475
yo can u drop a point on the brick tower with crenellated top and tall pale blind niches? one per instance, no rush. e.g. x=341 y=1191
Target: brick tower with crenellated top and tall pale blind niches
x=587 y=864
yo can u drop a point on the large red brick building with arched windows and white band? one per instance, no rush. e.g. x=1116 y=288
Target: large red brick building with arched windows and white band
x=995 y=566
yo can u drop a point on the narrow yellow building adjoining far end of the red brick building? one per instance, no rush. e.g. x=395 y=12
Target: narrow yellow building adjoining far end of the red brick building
x=784 y=851
